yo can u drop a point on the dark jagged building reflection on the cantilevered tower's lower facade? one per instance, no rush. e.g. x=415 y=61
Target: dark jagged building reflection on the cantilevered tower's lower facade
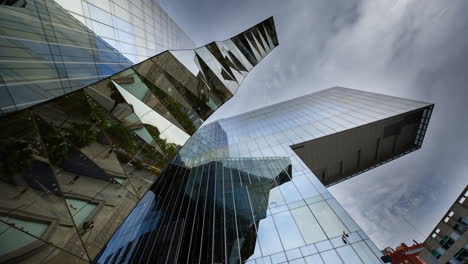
x=190 y=211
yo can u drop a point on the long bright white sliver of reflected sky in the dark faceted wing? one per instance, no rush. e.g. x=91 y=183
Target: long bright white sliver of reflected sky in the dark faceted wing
x=168 y=131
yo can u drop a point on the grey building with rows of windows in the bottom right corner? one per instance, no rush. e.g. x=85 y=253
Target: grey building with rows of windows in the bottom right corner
x=448 y=242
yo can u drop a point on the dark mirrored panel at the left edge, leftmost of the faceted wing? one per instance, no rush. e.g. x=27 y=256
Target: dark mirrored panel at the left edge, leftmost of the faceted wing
x=31 y=195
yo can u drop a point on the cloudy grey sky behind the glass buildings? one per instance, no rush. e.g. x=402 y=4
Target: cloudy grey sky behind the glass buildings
x=407 y=48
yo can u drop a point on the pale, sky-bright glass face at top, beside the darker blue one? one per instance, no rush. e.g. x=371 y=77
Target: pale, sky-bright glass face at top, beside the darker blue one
x=138 y=29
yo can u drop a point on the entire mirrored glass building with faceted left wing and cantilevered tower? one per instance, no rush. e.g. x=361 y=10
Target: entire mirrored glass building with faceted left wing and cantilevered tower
x=106 y=161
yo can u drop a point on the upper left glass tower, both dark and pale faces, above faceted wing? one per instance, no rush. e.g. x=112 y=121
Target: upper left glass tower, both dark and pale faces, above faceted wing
x=49 y=49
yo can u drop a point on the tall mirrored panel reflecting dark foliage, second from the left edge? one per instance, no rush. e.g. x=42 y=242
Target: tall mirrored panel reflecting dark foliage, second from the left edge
x=77 y=148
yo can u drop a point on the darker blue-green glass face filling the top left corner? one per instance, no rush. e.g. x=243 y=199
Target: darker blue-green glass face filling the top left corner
x=45 y=52
